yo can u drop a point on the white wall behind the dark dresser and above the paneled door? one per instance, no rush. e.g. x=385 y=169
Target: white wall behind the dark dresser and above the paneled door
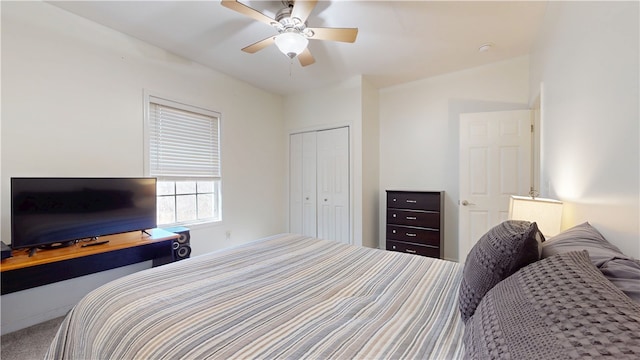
x=419 y=131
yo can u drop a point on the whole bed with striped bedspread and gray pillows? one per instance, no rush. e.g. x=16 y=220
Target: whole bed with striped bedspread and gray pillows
x=574 y=296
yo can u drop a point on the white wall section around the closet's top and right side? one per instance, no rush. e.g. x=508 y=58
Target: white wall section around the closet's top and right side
x=352 y=102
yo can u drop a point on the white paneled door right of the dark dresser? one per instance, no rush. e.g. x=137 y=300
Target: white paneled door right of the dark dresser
x=495 y=163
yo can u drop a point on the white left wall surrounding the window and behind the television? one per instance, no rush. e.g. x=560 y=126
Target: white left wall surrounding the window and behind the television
x=72 y=105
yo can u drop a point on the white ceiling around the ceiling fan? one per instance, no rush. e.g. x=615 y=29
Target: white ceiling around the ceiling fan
x=398 y=41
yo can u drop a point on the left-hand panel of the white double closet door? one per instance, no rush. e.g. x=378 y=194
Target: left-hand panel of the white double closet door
x=302 y=184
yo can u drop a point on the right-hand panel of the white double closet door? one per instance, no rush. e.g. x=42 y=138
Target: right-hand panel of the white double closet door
x=333 y=184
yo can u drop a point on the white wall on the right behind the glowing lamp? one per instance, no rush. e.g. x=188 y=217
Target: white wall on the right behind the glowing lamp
x=586 y=58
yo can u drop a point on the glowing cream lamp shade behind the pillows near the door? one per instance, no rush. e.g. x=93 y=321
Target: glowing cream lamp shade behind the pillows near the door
x=547 y=213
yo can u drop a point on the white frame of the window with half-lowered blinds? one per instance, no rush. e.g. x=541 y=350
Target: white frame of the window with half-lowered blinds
x=152 y=98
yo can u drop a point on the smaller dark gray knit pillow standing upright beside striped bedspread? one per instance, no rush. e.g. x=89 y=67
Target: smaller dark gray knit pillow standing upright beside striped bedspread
x=500 y=252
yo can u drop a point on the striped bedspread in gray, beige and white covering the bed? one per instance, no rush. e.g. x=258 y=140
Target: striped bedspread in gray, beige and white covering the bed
x=286 y=296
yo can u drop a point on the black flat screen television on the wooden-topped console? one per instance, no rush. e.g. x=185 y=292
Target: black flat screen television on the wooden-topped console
x=54 y=211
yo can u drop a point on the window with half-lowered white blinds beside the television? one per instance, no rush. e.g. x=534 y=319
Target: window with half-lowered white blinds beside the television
x=183 y=151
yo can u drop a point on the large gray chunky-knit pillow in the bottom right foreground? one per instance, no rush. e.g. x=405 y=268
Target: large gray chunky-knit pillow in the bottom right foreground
x=560 y=307
